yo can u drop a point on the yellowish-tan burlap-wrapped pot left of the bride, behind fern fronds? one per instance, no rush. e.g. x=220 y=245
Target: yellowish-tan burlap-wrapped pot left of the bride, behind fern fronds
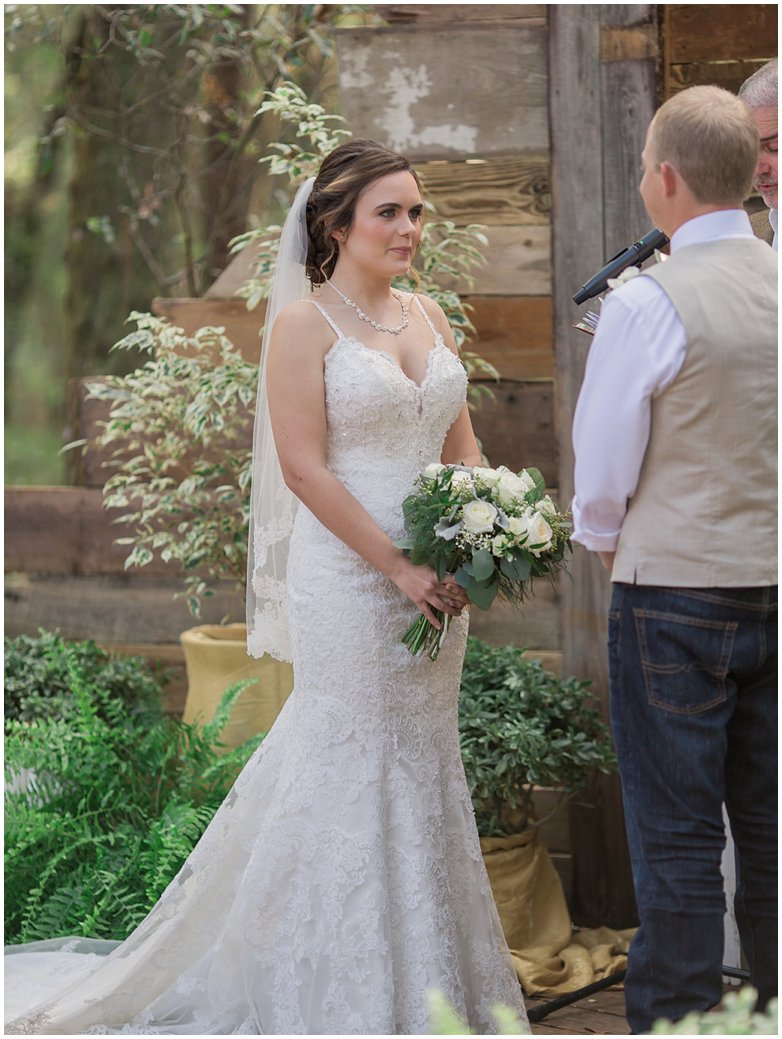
x=217 y=658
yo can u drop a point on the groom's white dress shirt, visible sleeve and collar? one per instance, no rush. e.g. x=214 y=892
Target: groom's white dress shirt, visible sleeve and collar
x=637 y=353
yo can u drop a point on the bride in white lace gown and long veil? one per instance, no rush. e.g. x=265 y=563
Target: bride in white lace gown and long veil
x=342 y=878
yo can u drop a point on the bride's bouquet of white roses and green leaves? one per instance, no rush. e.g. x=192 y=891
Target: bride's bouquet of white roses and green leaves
x=495 y=530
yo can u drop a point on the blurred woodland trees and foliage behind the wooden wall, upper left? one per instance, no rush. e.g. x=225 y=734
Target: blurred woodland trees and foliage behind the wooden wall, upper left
x=132 y=139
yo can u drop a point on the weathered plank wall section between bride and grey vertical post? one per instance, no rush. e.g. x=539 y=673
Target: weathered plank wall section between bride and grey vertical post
x=464 y=92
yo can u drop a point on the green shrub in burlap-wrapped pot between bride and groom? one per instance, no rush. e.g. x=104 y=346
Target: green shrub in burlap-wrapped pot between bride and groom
x=523 y=729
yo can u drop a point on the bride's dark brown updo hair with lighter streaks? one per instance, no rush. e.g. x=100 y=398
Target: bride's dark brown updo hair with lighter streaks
x=345 y=174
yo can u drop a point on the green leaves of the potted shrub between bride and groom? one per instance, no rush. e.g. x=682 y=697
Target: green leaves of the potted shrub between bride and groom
x=522 y=727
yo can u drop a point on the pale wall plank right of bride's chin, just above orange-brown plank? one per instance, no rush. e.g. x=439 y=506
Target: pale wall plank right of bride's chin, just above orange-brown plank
x=519 y=263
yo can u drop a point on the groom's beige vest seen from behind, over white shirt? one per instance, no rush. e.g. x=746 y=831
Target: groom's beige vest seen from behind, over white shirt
x=705 y=513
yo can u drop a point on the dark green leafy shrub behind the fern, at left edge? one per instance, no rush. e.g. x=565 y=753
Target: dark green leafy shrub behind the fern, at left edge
x=37 y=677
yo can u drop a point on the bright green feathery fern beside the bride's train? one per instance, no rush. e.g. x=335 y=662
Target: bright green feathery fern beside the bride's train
x=117 y=802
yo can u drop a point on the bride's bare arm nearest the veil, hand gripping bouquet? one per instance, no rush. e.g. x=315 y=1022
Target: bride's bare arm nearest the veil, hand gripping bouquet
x=298 y=409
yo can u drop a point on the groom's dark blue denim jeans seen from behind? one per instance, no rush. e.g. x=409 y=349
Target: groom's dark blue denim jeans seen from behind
x=694 y=714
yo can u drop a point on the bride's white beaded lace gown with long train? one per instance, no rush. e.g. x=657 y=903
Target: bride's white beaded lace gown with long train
x=342 y=878
